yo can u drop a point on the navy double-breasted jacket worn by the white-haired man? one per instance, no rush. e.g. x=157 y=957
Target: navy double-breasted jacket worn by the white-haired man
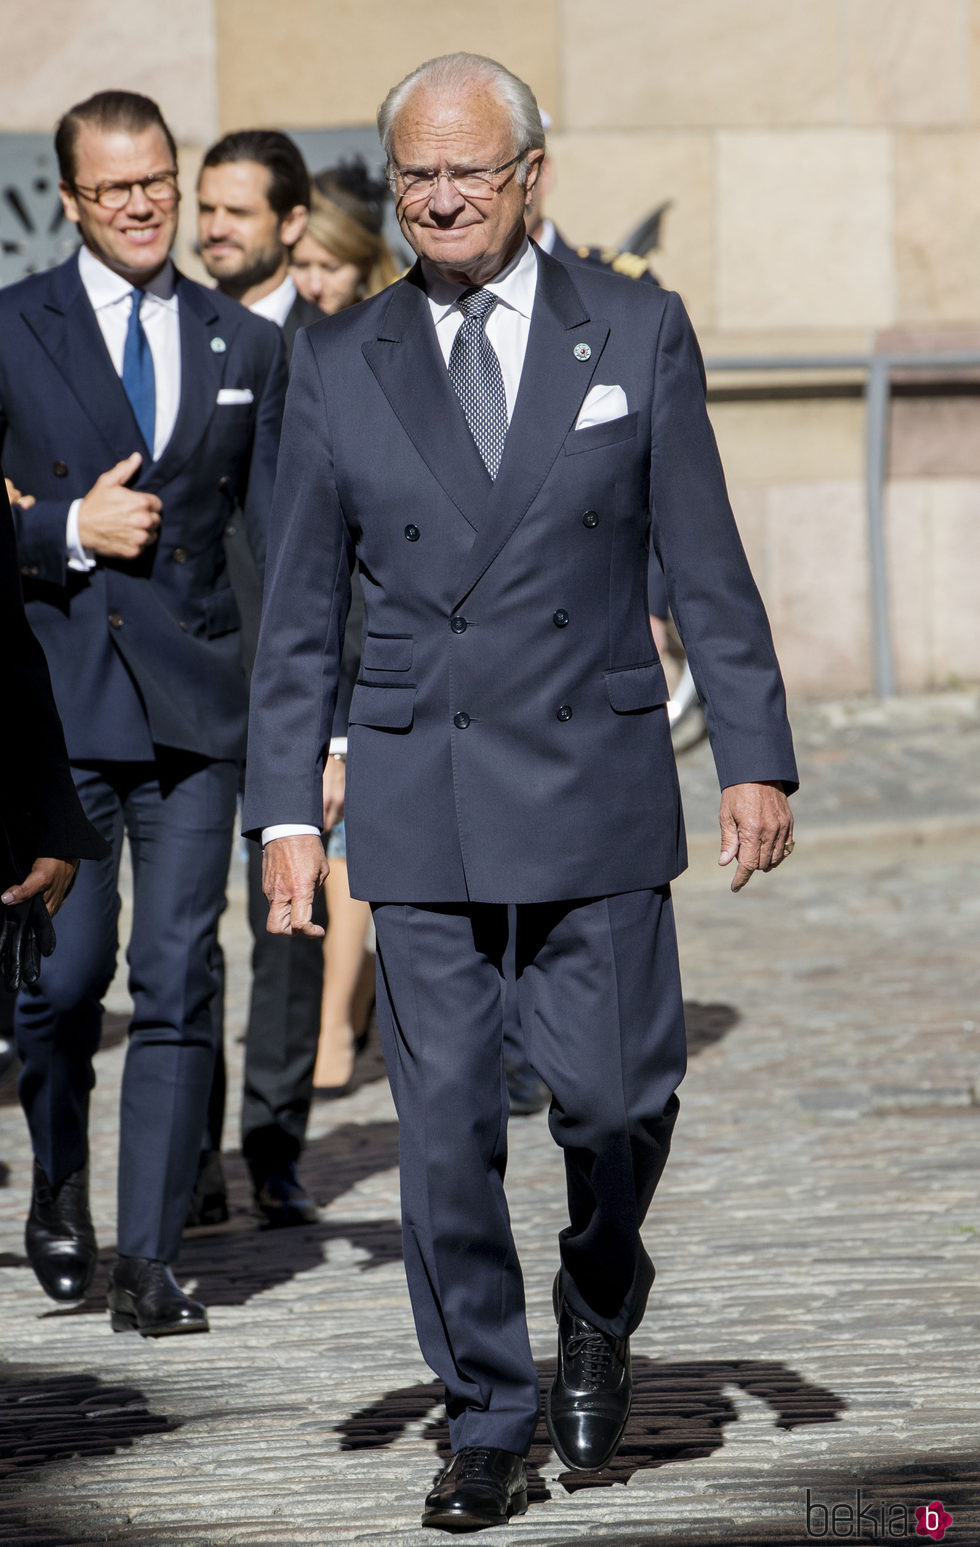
x=509 y=736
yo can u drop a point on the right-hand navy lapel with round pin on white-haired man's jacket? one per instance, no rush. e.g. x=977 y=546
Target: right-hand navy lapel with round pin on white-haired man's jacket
x=553 y=384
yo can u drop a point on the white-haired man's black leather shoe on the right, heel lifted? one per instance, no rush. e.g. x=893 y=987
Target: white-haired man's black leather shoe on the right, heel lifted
x=591 y=1399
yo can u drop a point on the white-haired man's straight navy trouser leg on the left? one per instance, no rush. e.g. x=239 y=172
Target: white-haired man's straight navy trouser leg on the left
x=440 y=1017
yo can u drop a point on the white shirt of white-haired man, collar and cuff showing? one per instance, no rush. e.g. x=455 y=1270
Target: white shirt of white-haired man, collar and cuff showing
x=507 y=329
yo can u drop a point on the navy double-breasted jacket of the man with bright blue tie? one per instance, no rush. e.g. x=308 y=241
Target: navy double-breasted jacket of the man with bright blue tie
x=165 y=624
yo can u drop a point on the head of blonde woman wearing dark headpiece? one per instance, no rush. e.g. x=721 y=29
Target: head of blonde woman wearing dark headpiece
x=343 y=256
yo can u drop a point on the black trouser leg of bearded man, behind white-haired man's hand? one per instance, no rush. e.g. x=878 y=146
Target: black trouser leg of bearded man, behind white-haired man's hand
x=284 y=1028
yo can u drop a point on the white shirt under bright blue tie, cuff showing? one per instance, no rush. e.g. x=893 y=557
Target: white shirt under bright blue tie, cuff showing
x=111 y=301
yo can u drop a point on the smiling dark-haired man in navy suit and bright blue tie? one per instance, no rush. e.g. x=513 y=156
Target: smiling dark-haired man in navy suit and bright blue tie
x=139 y=409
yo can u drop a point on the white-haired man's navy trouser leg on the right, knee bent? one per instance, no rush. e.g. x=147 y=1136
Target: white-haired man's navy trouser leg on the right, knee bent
x=603 y=1014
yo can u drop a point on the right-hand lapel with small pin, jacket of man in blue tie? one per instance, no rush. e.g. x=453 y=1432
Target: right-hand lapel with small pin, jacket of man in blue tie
x=202 y=371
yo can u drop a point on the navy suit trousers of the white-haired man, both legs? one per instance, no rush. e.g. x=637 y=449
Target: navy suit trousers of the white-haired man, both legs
x=605 y=1028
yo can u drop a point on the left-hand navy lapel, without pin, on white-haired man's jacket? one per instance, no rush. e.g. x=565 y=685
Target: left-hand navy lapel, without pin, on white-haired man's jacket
x=411 y=371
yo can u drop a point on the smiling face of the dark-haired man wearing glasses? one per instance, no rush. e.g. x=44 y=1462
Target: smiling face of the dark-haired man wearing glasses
x=135 y=239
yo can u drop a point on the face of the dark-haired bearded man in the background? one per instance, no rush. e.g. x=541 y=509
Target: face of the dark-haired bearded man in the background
x=241 y=236
